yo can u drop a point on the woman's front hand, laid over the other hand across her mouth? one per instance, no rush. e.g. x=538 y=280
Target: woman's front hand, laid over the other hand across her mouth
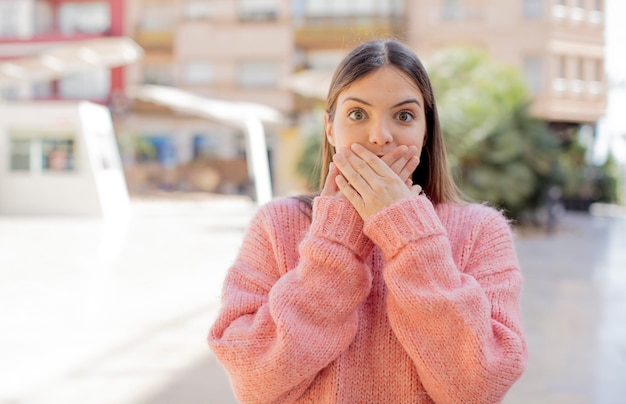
x=368 y=182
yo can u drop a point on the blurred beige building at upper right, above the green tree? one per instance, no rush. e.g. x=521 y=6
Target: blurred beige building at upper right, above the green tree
x=557 y=44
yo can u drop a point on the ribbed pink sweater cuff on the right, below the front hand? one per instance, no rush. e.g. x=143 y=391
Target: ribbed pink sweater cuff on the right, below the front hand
x=407 y=220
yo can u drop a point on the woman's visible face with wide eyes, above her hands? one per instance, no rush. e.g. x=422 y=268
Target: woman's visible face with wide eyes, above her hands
x=380 y=111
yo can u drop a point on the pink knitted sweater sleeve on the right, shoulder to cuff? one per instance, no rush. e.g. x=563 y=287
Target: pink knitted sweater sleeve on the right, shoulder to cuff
x=460 y=326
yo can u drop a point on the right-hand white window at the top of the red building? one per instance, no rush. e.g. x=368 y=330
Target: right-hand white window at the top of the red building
x=87 y=18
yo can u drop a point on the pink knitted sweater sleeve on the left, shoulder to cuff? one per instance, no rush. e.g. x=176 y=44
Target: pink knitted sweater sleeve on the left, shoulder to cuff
x=280 y=326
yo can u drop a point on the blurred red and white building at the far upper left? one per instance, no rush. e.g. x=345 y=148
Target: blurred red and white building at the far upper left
x=29 y=27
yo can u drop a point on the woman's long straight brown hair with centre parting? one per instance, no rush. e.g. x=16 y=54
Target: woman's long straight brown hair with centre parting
x=433 y=173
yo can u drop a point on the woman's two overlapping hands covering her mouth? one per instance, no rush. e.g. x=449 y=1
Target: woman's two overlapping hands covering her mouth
x=372 y=183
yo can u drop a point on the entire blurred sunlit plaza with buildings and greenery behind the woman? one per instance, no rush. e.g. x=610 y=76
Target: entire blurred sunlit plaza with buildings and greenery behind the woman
x=138 y=137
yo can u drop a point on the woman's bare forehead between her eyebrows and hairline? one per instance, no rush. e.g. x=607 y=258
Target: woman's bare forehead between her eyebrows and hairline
x=386 y=82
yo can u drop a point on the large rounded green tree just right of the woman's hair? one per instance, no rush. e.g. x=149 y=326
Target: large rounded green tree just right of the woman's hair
x=498 y=151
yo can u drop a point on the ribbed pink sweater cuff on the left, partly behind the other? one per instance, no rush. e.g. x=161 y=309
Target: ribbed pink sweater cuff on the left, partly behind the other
x=336 y=220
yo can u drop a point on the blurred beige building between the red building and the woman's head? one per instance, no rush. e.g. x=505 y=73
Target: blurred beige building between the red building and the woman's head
x=222 y=49
